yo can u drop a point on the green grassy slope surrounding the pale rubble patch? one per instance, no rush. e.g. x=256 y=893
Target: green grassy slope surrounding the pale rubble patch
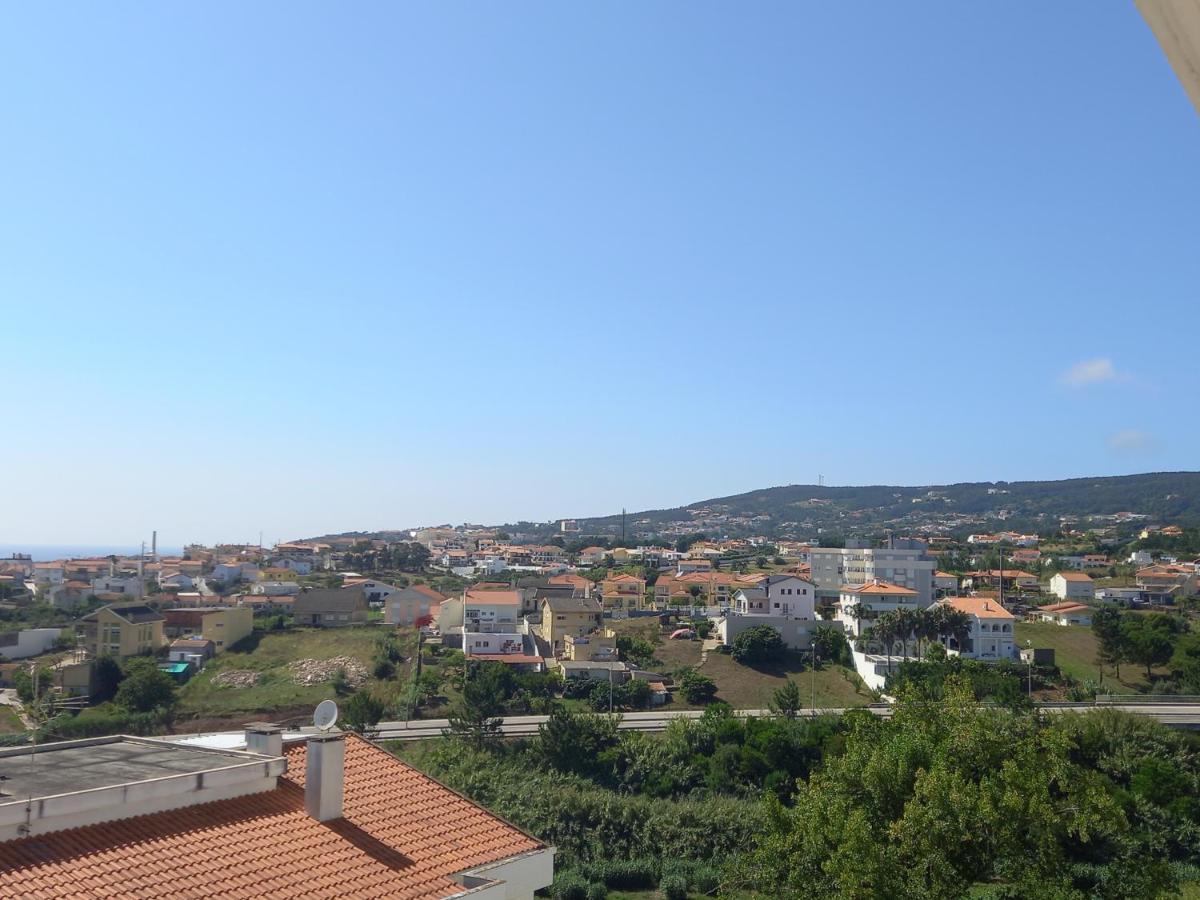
x=277 y=693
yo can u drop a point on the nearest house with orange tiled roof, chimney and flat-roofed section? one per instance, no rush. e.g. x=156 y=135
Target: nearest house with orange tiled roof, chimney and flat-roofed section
x=334 y=817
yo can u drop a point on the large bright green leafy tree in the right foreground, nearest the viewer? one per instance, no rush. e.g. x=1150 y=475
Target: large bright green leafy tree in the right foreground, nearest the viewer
x=946 y=797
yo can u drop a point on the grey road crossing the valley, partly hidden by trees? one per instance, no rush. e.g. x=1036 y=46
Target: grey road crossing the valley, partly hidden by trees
x=1177 y=716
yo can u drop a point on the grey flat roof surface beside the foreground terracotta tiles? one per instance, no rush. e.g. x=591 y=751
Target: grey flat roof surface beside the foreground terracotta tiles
x=103 y=763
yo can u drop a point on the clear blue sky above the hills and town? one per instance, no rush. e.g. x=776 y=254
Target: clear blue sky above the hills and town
x=321 y=267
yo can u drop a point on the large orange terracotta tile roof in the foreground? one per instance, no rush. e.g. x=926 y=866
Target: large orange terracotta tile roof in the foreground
x=403 y=836
